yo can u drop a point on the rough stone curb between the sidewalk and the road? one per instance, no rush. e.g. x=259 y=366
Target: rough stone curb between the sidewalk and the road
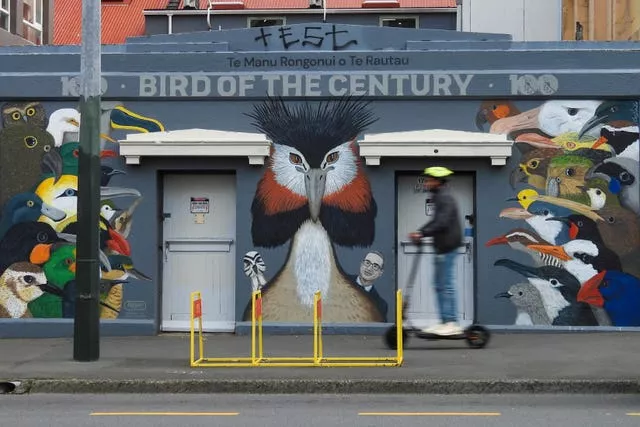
x=306 y=386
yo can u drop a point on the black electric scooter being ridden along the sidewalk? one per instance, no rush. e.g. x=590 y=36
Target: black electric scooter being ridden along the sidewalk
x=477 y=336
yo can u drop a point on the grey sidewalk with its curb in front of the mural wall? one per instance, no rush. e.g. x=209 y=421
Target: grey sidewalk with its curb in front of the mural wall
x=511 y=363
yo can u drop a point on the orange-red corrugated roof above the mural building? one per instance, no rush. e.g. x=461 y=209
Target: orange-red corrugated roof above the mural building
x=125 y=18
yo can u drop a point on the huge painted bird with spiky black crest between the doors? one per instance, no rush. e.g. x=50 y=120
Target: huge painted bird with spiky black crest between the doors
x=313 y=194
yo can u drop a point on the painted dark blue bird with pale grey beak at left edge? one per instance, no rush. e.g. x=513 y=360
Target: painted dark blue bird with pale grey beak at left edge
x=26 y=207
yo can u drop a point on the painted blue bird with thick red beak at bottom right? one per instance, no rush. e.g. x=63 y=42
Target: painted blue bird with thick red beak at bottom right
x=618 y=293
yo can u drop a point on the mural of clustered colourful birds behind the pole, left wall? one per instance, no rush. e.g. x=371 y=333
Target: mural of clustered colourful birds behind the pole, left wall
x=38 y=201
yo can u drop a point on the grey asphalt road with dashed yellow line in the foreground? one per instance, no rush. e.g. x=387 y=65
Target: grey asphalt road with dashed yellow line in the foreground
x=152 y=410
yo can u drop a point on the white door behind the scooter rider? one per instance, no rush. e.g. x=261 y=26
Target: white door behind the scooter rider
x=413 y=211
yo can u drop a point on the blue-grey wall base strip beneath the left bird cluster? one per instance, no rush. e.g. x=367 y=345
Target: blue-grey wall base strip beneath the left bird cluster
x=63 y=328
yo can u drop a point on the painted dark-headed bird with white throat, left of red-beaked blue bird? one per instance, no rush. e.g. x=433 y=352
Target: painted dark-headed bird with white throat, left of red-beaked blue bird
x=559 y=290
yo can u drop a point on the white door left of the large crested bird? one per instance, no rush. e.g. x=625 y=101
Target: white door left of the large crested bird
x=199 y=252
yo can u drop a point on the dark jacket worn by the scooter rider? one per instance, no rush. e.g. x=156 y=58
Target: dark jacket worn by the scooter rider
x=445 y=225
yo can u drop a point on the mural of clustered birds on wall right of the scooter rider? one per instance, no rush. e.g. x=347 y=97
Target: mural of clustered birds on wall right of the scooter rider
x=576 y=199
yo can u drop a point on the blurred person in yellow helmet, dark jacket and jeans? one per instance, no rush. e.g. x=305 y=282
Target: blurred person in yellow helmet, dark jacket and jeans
x=447 y=238
